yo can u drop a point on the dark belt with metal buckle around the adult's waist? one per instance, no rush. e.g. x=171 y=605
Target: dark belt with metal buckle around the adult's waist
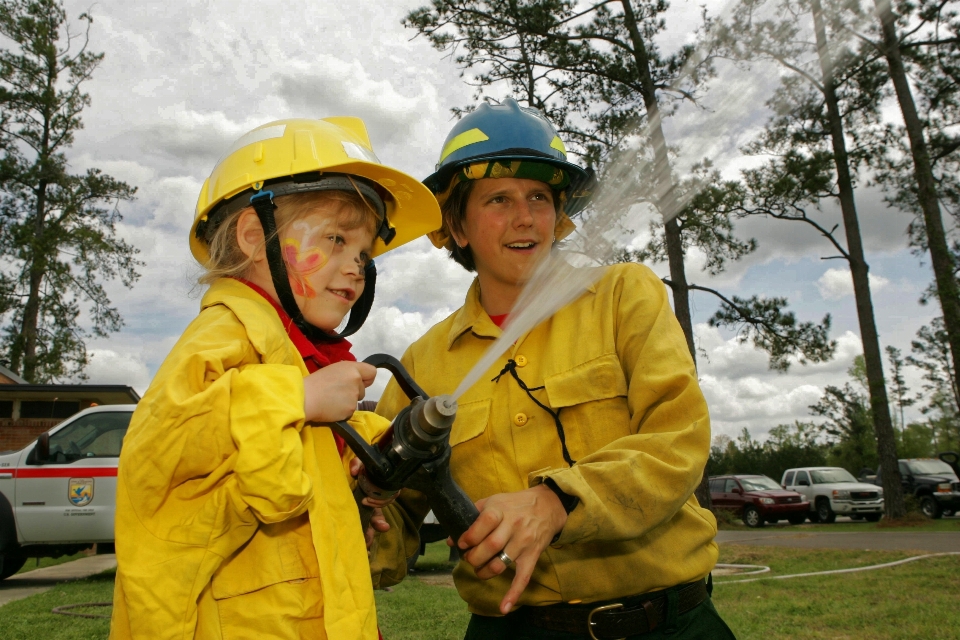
x=616 y=618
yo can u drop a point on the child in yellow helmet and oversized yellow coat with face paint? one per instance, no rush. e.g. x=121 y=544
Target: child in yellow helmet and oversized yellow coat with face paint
x=235 y=517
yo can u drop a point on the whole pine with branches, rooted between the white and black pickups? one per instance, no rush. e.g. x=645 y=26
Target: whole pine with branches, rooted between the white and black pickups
x=827 y=96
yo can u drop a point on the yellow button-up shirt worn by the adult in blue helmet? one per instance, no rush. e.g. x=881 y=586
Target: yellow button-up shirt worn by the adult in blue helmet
x=616 y=366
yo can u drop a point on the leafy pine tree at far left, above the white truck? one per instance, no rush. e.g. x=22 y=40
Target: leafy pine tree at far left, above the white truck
x=57 y=229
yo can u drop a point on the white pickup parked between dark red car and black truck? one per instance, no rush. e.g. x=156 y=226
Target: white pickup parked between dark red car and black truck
x=832 y=490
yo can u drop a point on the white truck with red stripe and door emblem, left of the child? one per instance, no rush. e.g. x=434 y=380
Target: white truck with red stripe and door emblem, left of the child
x=58 y=494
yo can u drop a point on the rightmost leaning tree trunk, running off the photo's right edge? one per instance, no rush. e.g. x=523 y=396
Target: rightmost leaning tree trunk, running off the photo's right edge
x=940 y=258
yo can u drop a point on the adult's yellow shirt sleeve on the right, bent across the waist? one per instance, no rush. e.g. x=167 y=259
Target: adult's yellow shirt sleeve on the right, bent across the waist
x=637 y=482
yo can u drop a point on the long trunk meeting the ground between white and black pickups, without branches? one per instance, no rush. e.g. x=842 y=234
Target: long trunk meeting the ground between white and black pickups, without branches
x=879 y=404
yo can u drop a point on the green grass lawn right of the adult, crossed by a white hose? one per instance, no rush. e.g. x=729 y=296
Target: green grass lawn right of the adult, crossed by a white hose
x=916 y=600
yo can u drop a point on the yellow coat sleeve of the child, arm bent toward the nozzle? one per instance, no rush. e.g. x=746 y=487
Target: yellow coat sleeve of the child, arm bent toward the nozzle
x=215 y=442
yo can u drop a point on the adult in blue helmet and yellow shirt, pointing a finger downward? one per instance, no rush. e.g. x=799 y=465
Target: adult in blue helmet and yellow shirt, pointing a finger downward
x=583 y=445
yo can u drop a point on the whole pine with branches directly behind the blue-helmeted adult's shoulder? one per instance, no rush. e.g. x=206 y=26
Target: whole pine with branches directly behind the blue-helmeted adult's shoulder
x=596 y=71
